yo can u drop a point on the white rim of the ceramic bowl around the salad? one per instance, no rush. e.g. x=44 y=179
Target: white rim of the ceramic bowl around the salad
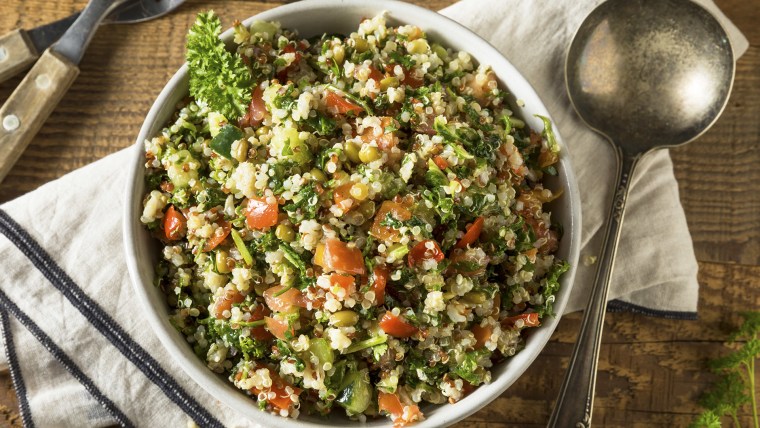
x=222 y=390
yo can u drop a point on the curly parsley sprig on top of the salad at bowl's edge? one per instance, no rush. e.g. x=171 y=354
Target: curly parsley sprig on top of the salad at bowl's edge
x=217 y=77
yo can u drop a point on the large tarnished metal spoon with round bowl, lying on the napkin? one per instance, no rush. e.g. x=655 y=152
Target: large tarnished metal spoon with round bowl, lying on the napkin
x=646 y=74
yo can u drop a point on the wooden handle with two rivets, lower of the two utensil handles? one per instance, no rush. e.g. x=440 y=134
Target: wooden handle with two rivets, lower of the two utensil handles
x=30 y=105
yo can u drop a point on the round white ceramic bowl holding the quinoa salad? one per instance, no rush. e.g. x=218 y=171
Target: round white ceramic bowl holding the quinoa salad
x=342 y=16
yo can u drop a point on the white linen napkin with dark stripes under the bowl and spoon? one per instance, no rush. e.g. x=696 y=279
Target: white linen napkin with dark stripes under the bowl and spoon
x=81 y=354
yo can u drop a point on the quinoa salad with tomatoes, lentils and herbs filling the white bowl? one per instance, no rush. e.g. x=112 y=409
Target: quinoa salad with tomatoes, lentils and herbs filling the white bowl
x=350 y=223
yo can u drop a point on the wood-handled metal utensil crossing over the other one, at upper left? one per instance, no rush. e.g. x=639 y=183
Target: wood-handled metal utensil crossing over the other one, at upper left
x=39 y=92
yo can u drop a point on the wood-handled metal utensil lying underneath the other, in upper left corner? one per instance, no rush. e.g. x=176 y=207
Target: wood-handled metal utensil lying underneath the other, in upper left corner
x=20 y=48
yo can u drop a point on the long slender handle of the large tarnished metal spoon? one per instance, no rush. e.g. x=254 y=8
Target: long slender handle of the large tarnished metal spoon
x=576 y=398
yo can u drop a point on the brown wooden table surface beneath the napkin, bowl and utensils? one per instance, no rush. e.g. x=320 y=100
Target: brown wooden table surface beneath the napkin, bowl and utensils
x=651 y=369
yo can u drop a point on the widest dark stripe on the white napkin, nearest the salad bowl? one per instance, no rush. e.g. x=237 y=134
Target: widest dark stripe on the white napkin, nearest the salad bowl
x=102 y=321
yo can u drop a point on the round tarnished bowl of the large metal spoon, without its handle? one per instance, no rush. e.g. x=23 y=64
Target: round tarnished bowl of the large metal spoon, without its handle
x=650 y=73
